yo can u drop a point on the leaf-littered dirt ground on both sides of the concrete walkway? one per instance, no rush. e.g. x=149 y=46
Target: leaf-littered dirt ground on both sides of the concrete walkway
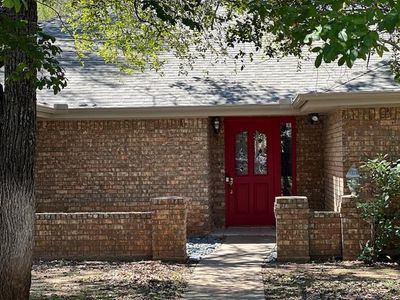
x=155 y=280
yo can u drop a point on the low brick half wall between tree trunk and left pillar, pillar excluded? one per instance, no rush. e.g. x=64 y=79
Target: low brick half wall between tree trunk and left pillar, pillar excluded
x=93 y=235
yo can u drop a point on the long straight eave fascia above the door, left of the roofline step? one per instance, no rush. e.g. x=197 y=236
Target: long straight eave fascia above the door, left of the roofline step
x=168 y=112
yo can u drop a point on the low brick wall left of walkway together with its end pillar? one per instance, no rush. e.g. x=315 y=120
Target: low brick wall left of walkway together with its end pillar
x=160 y=234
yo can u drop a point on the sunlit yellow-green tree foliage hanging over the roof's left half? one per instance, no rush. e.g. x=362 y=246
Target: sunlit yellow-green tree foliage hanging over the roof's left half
x=135 y=34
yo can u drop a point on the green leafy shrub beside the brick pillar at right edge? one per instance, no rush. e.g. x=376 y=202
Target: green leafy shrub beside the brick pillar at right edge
x=380 y=189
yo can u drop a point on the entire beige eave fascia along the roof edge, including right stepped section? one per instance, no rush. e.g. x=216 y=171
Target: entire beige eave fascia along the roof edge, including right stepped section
x=301 y=105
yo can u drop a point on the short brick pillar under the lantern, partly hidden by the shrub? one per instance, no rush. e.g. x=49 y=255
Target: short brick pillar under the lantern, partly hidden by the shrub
x=355 y=231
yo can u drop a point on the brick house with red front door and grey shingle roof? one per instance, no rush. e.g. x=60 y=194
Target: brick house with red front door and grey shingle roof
x=230 y=142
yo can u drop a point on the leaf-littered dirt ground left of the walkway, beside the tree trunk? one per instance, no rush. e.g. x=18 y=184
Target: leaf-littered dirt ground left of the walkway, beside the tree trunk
x=108 y=280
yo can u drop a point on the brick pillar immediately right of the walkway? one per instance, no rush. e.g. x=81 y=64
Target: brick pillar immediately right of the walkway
x=292 y=228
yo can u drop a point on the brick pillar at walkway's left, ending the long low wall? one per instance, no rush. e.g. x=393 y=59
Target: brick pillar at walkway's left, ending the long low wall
x=169 y=228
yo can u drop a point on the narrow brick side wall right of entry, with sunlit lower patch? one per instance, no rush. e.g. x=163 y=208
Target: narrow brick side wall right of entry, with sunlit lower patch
x=333 y=160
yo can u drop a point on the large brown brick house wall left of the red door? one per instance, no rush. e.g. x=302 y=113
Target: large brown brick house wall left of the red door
x=119 y=165
